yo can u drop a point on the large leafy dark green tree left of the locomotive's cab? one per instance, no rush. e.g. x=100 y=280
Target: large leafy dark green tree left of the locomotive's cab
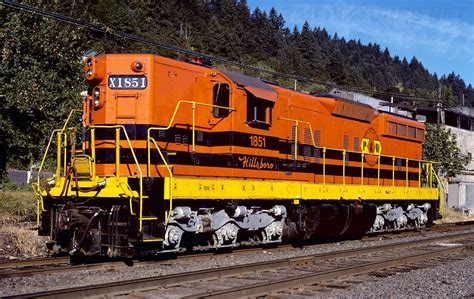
x=41 y=75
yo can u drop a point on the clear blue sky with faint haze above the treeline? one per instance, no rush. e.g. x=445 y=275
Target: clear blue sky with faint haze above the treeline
x=439 y=33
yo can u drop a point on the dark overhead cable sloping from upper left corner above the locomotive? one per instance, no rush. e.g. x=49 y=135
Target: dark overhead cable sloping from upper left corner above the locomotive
x=147 y=41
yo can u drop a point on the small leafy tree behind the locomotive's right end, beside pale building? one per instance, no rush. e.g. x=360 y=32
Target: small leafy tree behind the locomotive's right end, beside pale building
x=441 y=146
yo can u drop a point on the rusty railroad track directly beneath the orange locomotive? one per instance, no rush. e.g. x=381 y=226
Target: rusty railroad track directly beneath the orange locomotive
x=22 y=268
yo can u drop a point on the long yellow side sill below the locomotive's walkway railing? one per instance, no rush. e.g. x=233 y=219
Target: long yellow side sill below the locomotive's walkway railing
x=206 y=188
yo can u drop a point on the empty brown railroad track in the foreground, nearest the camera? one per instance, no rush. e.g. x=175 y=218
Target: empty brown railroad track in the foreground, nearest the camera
x=262 y=277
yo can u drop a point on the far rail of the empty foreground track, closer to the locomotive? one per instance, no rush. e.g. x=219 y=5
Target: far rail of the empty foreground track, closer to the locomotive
x=150 y=283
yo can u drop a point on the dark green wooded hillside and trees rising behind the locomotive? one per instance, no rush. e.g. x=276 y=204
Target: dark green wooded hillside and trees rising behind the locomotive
x=42 y=73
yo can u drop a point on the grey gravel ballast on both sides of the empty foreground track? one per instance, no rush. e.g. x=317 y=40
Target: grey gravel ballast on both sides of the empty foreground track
x=455 y=279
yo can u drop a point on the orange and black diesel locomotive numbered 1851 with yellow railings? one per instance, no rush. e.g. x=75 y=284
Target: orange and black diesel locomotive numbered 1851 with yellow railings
x=173 y=156
